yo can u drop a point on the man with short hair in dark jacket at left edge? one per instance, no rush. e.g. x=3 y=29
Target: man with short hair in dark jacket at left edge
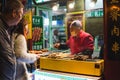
x=11 y=15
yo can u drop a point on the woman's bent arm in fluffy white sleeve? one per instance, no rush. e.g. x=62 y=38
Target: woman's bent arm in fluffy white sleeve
x=21 y=50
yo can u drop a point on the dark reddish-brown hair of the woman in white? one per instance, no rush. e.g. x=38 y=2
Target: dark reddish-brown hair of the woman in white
x=21 y=26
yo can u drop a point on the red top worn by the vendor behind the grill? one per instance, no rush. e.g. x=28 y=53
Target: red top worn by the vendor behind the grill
x=80 y=43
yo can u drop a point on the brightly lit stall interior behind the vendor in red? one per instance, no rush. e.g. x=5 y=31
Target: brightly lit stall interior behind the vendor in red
x=55 y=13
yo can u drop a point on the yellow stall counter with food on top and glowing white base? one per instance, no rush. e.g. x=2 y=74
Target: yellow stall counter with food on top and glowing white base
x=57 y=65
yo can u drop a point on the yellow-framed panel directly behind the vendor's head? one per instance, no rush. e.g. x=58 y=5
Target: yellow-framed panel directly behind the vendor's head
x=71 y=17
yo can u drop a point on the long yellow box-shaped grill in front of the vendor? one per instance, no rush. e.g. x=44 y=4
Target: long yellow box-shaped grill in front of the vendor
x=89 y=67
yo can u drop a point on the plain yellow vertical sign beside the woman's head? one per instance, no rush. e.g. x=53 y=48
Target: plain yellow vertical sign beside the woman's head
x=28 y=17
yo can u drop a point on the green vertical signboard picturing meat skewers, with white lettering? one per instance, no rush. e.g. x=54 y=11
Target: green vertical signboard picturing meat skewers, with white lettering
x=37 y=32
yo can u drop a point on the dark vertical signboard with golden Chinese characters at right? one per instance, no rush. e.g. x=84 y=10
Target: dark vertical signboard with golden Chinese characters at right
x=113 y=27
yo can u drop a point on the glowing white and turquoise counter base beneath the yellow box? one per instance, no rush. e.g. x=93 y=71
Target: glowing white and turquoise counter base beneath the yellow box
x=53 y=75
